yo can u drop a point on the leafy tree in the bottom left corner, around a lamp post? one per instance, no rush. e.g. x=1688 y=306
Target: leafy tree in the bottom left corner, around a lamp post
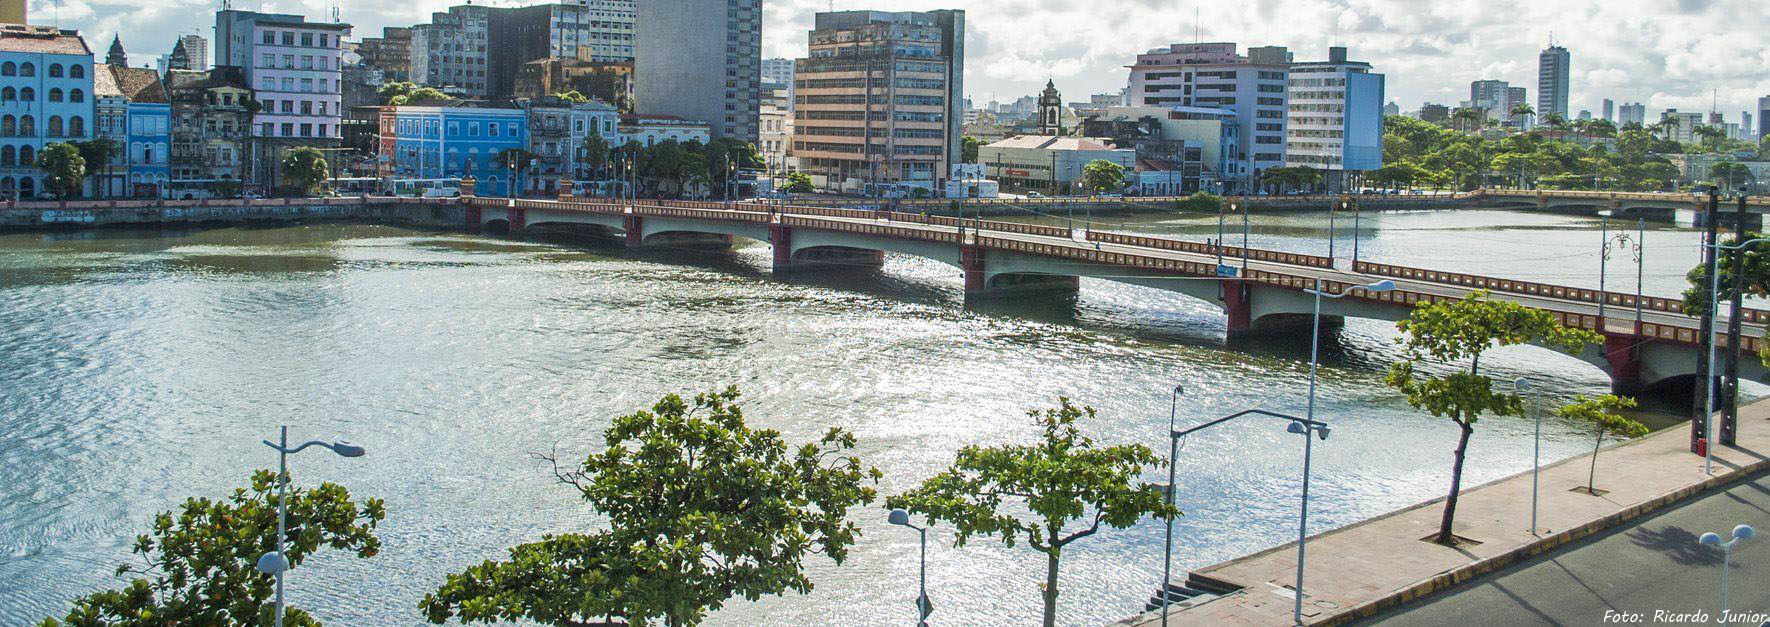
x=199 y=564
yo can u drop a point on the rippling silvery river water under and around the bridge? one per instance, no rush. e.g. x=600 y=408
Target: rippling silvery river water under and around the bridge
x=144 y=368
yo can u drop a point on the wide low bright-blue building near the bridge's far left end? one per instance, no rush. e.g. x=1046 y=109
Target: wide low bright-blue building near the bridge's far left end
x=452 y=141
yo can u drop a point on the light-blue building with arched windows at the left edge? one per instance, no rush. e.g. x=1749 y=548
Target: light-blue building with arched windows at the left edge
x=45 y=88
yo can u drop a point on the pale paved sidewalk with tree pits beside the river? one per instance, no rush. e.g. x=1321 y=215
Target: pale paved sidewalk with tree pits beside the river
x=1373 y=566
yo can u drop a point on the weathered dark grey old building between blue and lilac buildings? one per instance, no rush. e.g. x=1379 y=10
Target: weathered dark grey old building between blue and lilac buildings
x=212 y=130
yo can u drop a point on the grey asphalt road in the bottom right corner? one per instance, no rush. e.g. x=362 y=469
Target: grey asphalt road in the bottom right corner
x=1626 y=577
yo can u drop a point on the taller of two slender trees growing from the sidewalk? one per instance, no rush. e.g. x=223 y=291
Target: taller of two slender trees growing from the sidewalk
x=1459 y=334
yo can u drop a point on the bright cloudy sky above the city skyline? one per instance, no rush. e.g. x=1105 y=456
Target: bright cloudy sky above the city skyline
x=1668 y=54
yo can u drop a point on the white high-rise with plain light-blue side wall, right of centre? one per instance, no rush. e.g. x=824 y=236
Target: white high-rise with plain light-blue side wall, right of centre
x=1335 y=118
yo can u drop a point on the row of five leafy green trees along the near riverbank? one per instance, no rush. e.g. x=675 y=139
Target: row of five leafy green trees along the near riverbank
x=704 y=509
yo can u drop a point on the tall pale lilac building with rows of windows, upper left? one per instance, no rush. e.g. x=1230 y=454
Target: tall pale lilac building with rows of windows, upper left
x=295 y=68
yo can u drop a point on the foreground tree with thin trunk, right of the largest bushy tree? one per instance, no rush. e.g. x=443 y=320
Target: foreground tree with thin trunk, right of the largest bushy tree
x=1061 y=479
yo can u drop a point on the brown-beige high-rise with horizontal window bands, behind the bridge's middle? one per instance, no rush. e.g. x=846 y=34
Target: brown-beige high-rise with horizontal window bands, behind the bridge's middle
x=879 y=98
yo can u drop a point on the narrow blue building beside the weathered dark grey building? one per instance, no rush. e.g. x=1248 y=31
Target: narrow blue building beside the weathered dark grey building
x=134 y=111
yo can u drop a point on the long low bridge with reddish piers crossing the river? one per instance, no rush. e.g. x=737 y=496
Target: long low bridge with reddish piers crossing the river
x=1259 y=291
